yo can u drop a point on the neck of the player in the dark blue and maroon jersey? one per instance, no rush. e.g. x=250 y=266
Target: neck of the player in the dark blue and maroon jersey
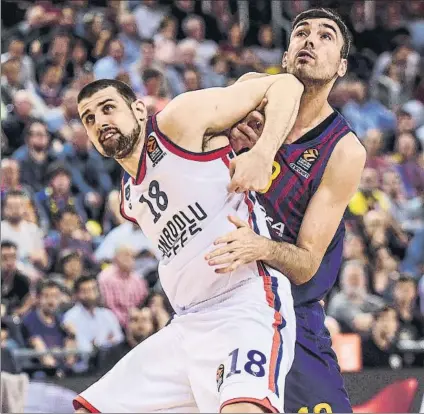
x=313 y=109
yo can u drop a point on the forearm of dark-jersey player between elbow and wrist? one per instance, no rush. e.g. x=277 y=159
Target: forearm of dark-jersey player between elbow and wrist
x=297 y=264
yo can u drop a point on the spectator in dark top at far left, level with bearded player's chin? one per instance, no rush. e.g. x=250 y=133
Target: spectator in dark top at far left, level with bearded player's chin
x=35 y=156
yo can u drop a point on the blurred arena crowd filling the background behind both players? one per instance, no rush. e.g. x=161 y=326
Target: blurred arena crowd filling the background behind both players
x=60 y=203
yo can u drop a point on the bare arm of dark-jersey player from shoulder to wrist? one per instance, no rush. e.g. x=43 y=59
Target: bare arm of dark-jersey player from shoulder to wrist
x=301 y=261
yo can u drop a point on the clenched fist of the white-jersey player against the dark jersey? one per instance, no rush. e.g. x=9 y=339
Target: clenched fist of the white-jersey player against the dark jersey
x=250 y=171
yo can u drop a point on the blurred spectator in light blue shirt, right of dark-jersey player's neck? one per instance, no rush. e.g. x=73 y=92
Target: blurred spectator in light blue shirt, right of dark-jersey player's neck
x=364 y=113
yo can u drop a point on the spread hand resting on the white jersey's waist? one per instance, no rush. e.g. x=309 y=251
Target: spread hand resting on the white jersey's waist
x=242 y=246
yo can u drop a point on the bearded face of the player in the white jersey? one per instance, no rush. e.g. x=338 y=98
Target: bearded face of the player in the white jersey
x=111 y=124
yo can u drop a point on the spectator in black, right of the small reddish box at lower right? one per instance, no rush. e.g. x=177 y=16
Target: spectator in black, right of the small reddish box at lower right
x=379 y=349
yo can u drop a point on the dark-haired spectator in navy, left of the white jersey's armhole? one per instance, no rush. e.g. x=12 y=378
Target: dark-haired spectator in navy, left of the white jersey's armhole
x=57 y=195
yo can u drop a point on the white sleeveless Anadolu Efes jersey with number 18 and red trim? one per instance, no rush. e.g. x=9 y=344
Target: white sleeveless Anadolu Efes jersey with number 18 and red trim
x=180 y=201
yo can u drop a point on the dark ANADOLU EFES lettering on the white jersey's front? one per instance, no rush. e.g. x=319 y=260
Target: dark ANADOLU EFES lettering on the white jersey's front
x=180 y=229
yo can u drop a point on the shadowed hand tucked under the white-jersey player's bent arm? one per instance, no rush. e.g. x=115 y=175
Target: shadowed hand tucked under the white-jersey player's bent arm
x=247 y=132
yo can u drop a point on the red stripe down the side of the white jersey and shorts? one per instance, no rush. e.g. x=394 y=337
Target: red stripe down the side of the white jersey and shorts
x=270 y=299
